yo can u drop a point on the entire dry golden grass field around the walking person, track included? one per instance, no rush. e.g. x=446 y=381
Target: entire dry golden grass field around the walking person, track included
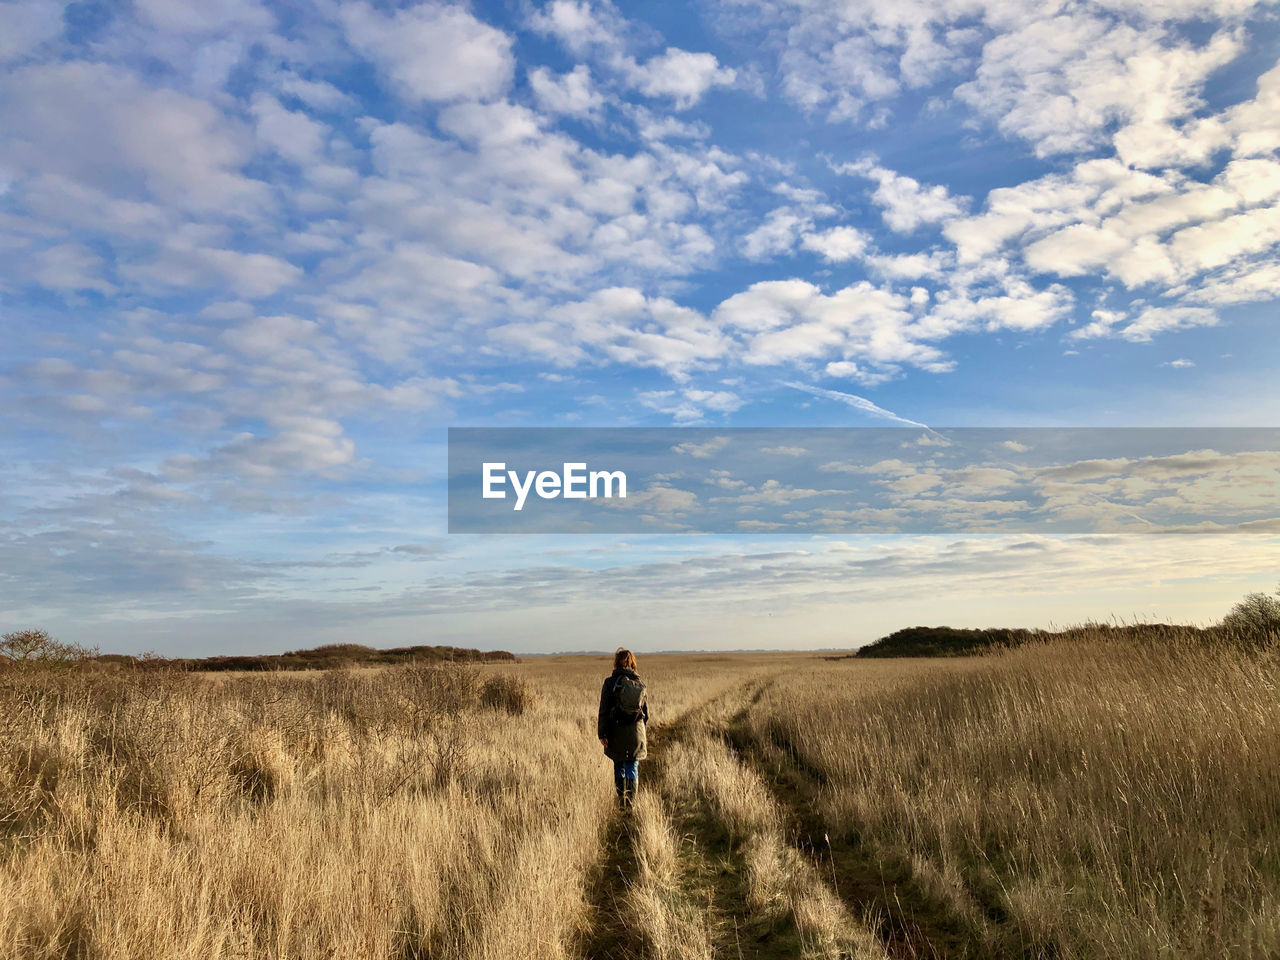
x=1081 y=799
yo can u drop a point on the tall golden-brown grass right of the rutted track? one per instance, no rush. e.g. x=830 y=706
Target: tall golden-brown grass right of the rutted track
x=1077 y=799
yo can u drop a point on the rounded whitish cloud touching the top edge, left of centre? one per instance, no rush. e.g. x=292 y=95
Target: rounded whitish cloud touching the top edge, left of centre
x=433 y=52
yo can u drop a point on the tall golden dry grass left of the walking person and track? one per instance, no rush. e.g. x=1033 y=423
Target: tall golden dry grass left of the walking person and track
x=372 y=815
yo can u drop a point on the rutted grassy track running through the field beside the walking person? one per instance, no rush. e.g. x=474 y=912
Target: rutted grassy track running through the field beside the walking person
x=701 y=867
